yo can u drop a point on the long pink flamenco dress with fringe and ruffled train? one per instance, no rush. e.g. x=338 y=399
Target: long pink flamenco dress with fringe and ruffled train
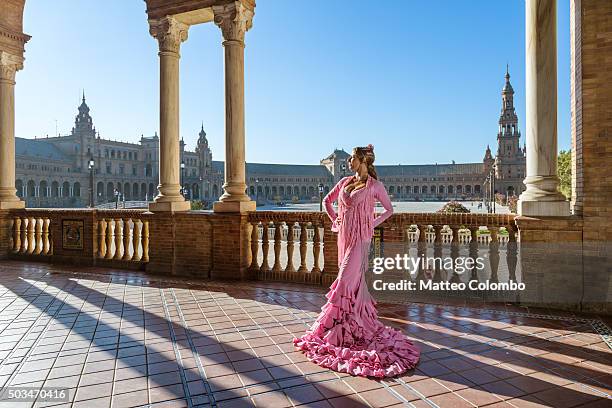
x=347 y=336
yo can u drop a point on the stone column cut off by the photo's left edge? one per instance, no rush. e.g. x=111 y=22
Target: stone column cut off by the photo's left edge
x=9 y=65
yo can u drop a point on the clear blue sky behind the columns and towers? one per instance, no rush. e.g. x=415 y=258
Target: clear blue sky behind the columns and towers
x=419 y=80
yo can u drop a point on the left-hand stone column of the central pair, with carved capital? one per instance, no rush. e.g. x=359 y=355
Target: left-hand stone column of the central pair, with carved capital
x=170 y=33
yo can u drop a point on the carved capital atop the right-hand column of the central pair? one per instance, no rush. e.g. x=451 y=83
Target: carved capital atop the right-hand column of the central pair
x=234 y=19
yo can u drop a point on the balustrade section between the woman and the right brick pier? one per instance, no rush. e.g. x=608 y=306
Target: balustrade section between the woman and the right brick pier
x=489 y=240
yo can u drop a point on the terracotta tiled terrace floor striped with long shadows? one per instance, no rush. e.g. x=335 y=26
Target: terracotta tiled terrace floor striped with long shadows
x=121 y=339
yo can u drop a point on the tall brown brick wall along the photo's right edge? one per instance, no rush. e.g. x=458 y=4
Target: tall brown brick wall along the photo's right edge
x=591 y=57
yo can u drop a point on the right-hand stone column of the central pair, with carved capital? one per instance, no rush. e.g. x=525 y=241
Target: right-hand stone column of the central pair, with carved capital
x=234 y=19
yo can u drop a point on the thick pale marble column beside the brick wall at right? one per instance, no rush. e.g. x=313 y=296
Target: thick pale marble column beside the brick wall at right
x=542 y=197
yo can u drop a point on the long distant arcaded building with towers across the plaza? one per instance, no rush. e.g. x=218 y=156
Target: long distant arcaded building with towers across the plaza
x=56 y=171
